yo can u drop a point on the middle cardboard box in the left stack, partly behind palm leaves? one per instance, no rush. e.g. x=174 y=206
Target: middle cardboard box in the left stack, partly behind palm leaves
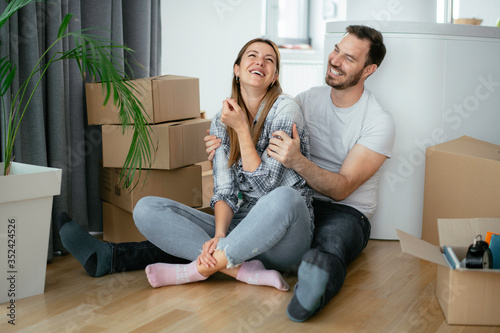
x=179 y=144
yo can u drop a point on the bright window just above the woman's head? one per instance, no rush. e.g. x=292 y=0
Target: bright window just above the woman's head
x=287 y=21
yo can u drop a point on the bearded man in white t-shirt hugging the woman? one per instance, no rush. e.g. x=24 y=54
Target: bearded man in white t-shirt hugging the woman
x=350 y=138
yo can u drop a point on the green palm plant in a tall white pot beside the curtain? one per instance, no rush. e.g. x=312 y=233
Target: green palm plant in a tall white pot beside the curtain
x=26 y=191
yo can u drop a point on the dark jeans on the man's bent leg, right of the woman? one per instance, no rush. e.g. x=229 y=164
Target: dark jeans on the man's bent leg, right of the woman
x=341 y=233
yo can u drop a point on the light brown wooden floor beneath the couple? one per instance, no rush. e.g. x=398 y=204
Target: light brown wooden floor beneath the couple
x=385 y=291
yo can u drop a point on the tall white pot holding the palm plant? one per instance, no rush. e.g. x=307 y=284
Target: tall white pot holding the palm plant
x=25 y=213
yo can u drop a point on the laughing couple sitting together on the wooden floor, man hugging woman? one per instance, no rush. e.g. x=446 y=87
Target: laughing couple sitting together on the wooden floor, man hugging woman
x=278 y=152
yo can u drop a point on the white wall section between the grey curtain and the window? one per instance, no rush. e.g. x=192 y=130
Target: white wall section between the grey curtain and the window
x=201 y=38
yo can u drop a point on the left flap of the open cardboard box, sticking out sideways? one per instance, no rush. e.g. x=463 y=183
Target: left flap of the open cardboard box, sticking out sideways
x=421 y=249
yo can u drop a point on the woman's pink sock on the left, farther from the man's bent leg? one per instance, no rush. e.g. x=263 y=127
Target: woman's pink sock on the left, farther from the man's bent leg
x=161 y=274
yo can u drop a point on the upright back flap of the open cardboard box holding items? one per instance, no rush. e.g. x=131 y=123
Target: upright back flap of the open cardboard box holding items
x=461 y=232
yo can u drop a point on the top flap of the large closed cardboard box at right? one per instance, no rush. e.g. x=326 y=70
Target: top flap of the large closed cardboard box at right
x=470 y=147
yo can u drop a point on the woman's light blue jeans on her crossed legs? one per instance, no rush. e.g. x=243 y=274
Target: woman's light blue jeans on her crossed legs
x=277 y=230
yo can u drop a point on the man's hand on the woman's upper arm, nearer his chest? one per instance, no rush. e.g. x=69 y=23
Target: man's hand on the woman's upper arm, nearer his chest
x=284 y=149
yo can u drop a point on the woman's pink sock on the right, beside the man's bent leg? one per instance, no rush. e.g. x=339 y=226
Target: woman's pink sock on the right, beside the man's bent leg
x=254 y=272
